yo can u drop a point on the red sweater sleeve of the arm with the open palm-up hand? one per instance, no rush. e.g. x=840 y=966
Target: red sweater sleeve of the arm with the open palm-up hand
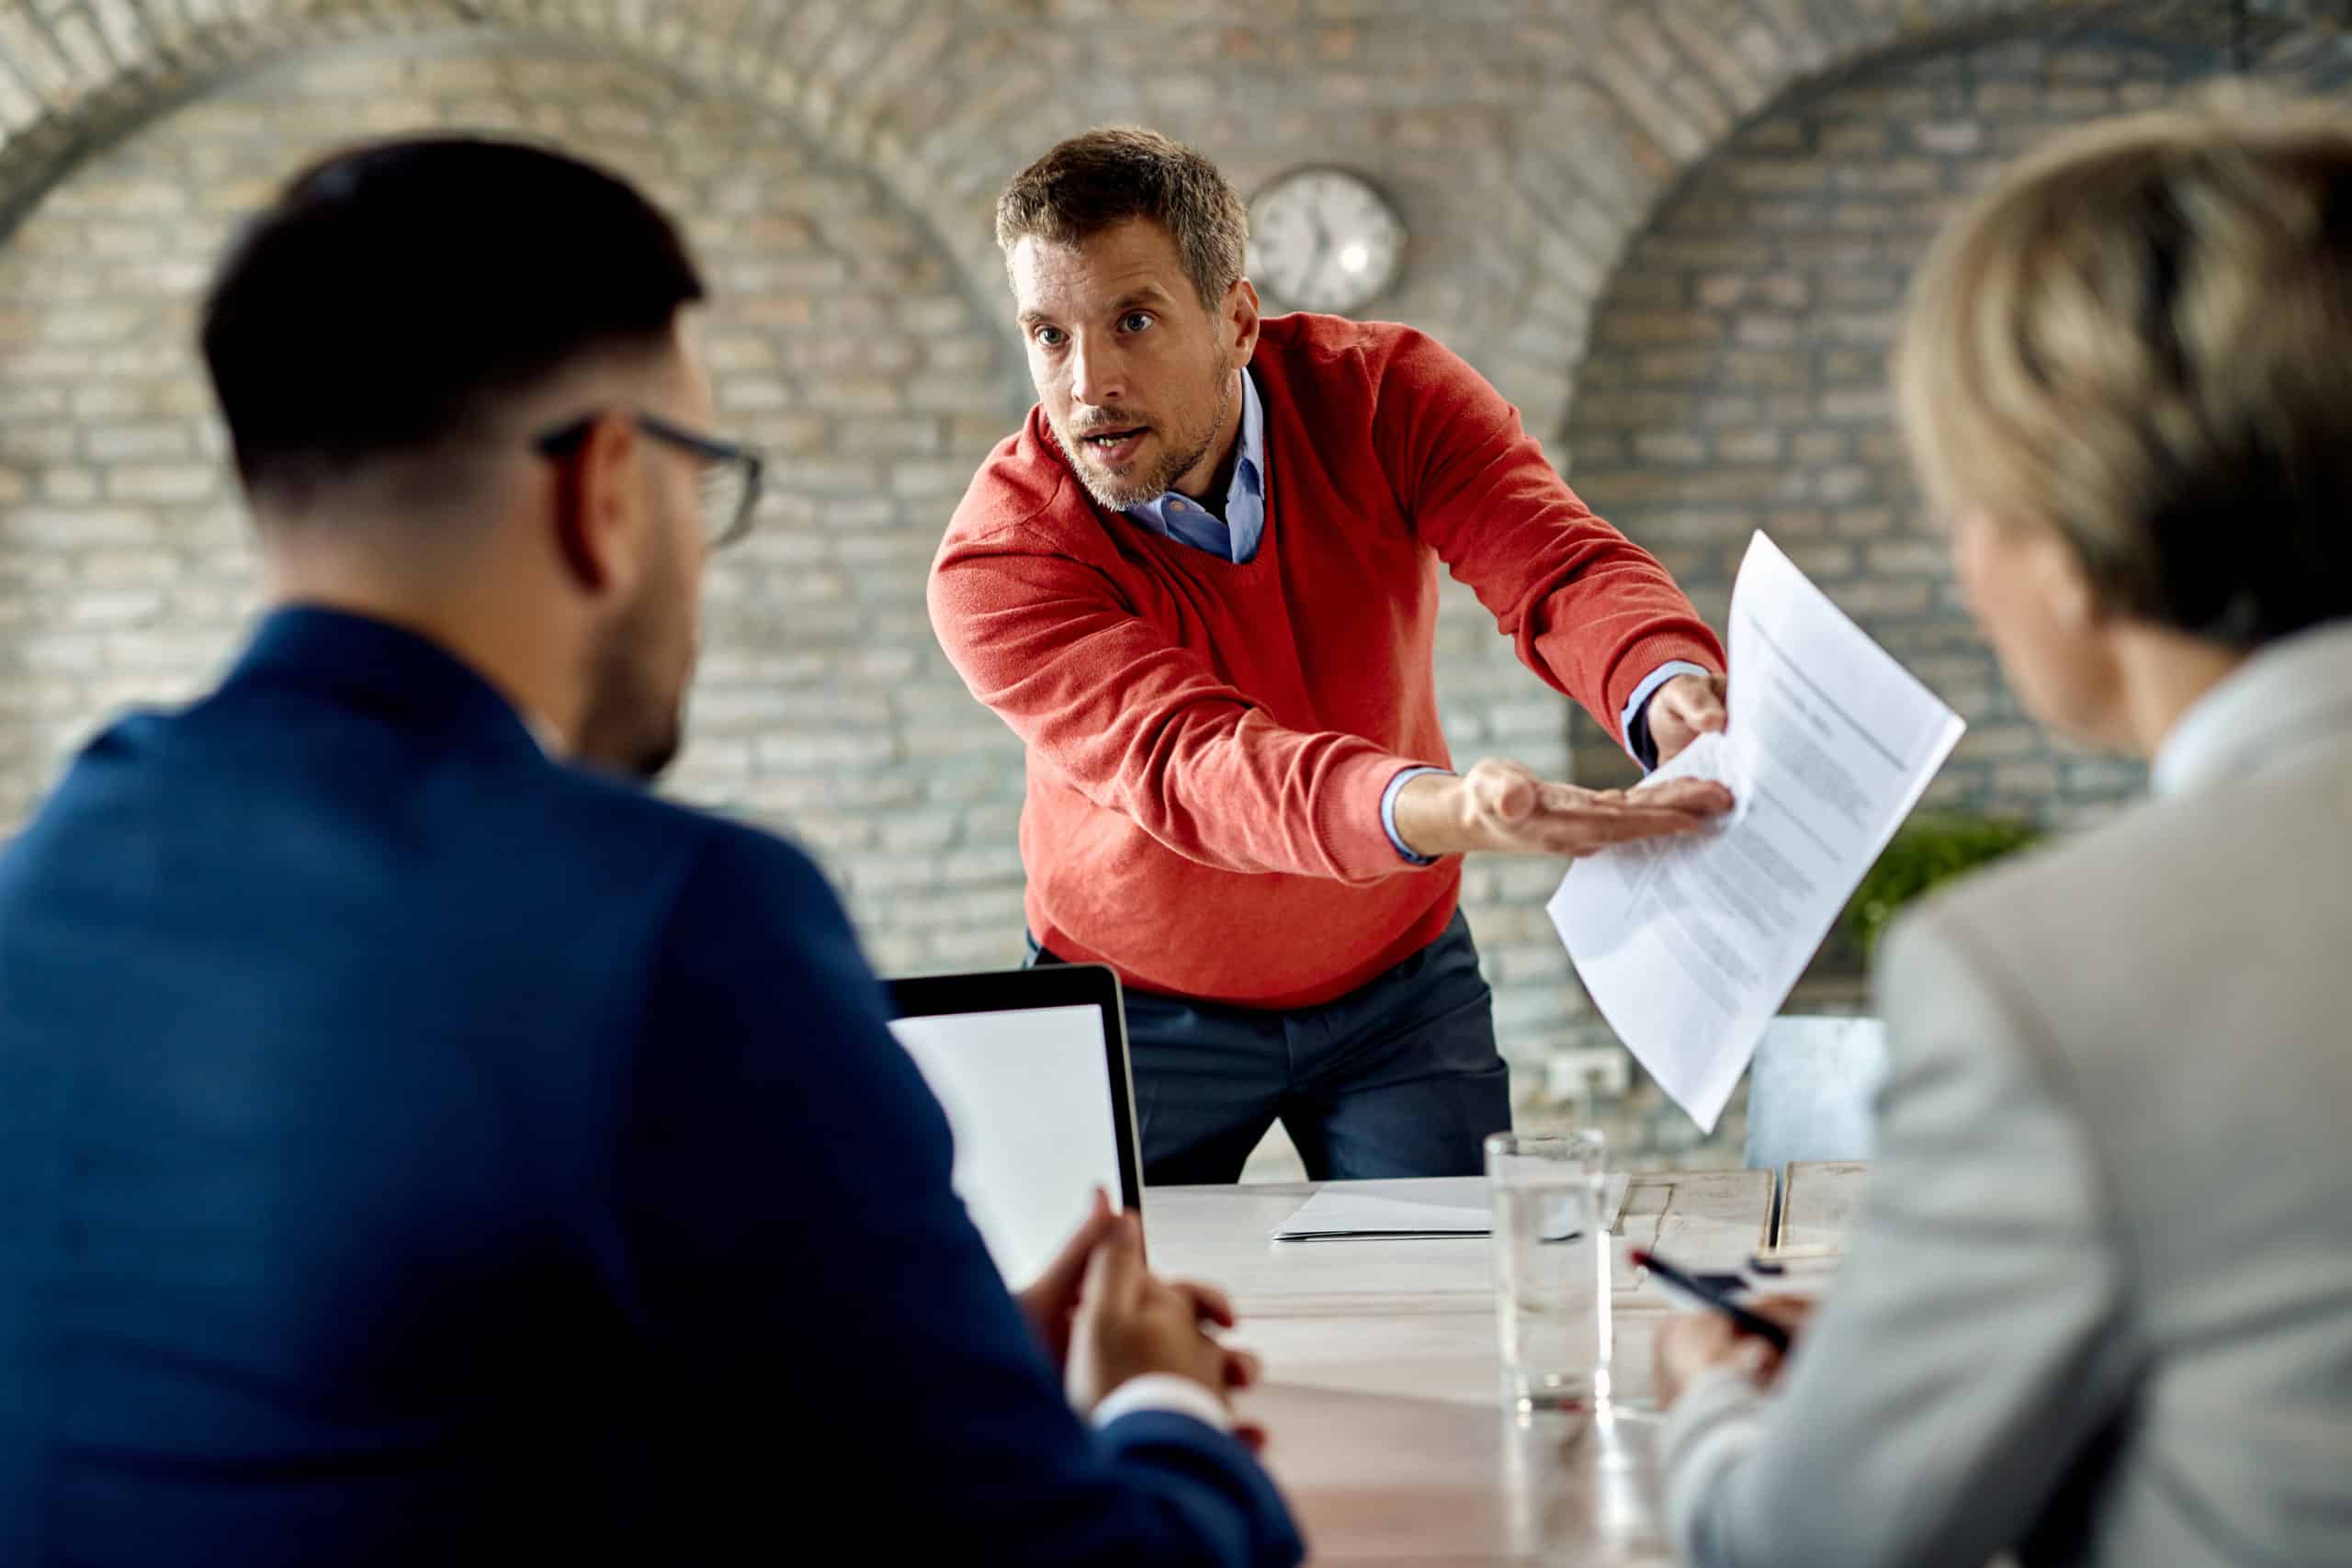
x=1147 y=730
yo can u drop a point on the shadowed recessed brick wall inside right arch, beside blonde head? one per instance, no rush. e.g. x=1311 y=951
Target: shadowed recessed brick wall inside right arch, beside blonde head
x=1737 y=368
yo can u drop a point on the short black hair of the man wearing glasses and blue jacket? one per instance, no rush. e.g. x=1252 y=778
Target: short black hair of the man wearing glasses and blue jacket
x=396 y=290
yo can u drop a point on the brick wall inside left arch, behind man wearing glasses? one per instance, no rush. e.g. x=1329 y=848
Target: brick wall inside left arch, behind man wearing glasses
x=841 y=340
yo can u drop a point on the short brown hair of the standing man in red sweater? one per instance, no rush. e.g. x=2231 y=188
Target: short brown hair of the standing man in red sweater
x=1114 y=175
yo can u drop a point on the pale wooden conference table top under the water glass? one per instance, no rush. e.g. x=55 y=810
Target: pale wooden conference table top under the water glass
x=1384 y=1391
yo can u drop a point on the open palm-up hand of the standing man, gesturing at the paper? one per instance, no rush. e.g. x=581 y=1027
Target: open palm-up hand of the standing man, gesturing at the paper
x=1506 y=808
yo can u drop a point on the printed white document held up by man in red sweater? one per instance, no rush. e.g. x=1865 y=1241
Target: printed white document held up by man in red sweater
x=1690 y=946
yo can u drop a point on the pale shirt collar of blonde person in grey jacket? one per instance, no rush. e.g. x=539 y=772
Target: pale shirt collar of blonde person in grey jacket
x=2290 y=697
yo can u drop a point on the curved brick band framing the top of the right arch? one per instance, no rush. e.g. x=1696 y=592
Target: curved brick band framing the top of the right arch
x=1669 y=83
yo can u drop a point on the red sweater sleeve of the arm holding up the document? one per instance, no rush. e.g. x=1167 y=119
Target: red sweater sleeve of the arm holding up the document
x=1586 y=608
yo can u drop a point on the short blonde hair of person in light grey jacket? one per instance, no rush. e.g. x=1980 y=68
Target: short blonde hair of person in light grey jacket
x=2141 y=337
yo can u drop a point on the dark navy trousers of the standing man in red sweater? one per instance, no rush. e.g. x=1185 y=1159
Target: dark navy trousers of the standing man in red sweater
x=1398 y=1078
